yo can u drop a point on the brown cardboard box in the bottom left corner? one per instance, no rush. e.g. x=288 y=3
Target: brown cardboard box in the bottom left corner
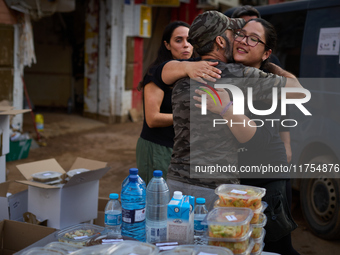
x=15 y=236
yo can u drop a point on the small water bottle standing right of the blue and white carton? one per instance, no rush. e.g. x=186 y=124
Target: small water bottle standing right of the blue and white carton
x=199 y=214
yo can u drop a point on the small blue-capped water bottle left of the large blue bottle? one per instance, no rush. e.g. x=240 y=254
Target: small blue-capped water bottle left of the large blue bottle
x=113 y=215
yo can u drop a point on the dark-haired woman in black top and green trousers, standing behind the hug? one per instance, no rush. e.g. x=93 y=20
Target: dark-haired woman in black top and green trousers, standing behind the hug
x=154 y=147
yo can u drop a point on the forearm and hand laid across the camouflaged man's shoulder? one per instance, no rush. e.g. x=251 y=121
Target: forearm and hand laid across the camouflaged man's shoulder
x=175 y=70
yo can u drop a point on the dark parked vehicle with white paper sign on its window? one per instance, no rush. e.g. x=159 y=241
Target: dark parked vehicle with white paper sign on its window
x=308 y=33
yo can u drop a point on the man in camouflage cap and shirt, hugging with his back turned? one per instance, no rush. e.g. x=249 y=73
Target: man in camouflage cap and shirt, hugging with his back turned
x=199 y=149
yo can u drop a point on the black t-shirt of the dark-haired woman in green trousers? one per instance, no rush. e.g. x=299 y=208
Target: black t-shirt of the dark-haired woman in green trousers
x=161 y=135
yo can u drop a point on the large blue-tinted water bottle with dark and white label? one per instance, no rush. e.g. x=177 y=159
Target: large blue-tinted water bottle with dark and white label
x=133 y=198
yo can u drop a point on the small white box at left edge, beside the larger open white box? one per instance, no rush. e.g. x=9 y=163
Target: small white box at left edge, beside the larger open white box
x=14 y=206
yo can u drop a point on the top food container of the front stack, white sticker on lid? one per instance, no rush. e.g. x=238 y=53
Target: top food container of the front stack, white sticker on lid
x=228 y=222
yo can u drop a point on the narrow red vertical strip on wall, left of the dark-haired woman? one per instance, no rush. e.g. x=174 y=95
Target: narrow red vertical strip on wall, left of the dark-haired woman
x=137 y=101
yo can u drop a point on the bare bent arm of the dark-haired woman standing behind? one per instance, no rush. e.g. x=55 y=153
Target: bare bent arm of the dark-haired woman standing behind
x=153 y=97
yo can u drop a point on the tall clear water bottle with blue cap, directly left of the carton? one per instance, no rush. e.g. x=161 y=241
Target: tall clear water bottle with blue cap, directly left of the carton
x=157 y=199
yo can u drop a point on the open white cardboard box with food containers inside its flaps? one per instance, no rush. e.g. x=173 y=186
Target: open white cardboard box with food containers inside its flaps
x=68 y=204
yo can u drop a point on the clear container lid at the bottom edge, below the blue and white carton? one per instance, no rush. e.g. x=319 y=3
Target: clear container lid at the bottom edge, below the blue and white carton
x=198 y=249
